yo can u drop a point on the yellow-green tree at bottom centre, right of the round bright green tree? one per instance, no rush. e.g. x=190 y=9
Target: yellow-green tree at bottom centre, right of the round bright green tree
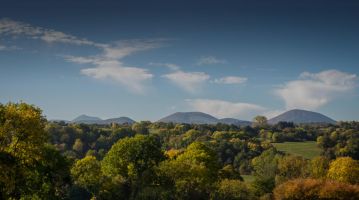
x=192 y=172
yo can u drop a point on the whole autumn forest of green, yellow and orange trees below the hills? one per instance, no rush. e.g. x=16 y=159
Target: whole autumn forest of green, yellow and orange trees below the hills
x=42 y=159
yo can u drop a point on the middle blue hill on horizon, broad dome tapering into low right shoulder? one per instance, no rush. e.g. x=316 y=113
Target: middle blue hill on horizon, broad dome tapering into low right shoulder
x=200 y=118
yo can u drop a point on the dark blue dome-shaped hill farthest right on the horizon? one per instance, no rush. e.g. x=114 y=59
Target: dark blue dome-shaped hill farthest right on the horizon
x=298 y=116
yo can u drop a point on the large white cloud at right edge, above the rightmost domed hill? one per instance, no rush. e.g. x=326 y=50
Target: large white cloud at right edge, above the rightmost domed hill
x=313 y=90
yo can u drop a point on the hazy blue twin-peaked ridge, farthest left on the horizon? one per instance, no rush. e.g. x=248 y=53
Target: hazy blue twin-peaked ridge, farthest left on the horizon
x=85 y=119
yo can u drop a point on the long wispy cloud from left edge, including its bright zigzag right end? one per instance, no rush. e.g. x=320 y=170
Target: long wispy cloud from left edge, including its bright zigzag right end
x=107 y=65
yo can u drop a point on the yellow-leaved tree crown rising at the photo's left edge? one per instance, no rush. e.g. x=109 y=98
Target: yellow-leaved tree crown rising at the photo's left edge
x=22 y=131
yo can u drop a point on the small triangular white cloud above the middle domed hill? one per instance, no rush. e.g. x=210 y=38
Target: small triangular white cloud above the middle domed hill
x=189 y=81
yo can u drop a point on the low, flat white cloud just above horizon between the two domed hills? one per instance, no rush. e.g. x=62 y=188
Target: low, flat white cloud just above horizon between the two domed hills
x=221 y=109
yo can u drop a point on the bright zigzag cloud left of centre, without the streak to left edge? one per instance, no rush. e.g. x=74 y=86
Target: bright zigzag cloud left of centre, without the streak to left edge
x=108 y=65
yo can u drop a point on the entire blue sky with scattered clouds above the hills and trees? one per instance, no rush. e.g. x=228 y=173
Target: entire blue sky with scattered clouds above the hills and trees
x=148 y=59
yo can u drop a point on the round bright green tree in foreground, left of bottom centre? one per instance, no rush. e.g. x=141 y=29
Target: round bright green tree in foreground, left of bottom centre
x=134 y=159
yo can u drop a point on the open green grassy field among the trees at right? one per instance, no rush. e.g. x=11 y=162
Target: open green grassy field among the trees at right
x=307 y=149
